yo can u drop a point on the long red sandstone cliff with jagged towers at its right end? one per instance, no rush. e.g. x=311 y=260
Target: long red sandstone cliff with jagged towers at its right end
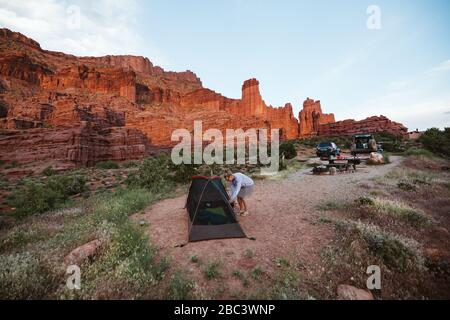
x=81 y=110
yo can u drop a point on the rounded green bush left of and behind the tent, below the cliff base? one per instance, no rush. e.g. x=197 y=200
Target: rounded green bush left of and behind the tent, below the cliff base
x=153 y=174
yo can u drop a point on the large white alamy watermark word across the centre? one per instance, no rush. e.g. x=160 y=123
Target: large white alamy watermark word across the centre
x=212 y=147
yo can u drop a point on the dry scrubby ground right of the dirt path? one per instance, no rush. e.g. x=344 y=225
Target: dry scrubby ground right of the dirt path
x=401 y=224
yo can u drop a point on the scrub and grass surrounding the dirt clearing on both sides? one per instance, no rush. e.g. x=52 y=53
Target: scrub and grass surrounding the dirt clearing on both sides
x=397 y=220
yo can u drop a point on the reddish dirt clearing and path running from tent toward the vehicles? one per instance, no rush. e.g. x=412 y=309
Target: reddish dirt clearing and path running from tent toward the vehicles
x=283 y=219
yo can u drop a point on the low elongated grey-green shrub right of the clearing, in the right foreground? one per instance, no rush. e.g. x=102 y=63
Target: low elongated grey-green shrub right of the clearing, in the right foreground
x=396 y=252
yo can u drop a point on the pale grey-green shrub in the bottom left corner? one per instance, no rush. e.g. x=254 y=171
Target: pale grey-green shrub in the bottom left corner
x=23 y=276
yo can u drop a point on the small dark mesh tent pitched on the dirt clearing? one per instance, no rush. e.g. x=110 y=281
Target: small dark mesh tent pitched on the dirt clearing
x=209 y=210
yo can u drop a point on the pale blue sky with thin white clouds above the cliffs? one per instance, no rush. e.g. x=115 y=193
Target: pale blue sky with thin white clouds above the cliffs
x=359 y=57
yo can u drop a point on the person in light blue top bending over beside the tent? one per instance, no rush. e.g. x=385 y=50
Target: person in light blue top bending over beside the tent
x=241 y=188
